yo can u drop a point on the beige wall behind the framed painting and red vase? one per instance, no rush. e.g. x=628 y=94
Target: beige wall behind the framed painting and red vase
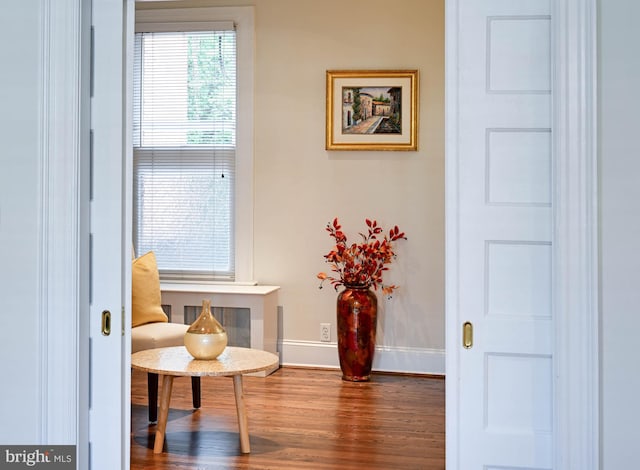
x=299 y=186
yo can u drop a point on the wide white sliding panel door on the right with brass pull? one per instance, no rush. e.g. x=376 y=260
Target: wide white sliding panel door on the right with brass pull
x=500 y=261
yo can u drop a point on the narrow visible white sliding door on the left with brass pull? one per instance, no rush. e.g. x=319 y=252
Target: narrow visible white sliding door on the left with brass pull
x=109 y=417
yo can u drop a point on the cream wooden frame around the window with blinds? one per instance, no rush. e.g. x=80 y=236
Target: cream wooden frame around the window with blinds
x=173 y=19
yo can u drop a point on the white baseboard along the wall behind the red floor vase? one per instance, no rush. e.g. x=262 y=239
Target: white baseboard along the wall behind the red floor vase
x=387 y=358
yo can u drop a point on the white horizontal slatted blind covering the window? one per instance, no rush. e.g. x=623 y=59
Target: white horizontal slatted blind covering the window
x=184 y=151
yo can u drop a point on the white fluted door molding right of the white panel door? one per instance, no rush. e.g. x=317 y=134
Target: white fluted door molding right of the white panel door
x=575 y=196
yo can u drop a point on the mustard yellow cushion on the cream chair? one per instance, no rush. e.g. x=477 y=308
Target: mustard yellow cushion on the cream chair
x=146 y=304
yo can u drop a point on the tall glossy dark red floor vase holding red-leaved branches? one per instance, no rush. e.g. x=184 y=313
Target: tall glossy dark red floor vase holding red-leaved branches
x=357 y=319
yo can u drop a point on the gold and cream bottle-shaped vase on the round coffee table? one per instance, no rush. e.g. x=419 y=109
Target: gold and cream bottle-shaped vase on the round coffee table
x=205 y=338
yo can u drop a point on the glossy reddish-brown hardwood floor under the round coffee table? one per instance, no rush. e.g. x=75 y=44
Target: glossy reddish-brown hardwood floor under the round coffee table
x=298 y=419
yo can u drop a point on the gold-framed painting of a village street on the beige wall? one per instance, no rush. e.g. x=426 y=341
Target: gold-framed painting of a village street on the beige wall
x=372 y=110
